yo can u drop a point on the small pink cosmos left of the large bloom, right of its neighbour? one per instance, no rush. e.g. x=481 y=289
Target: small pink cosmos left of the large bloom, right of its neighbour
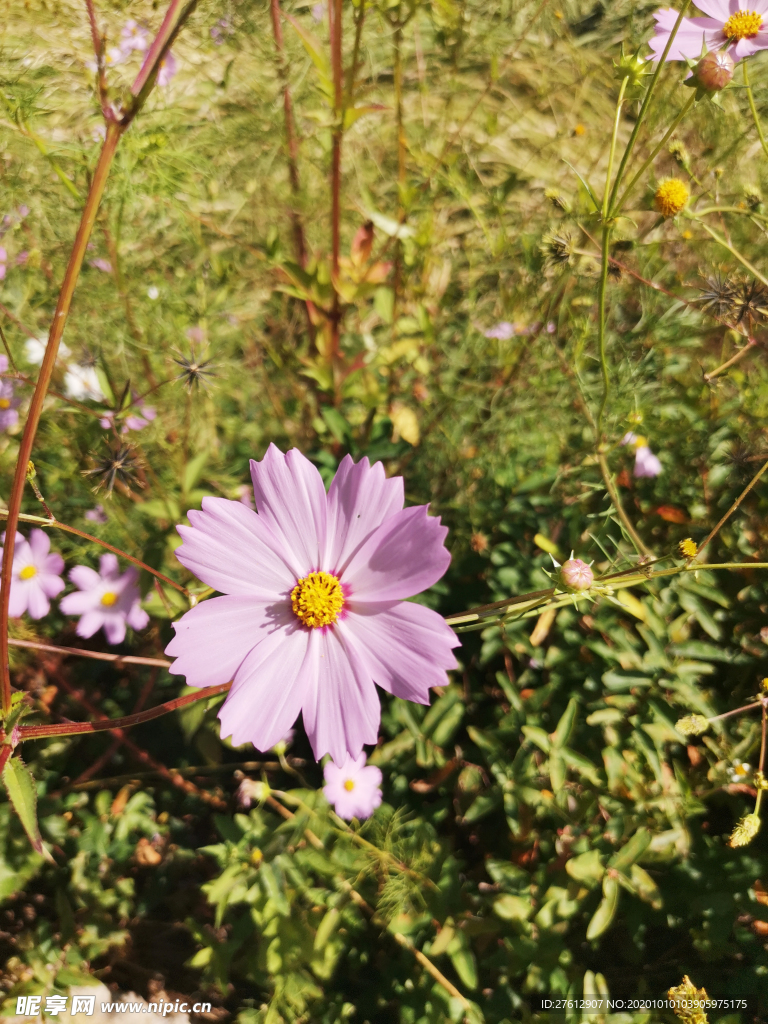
x=106 y=599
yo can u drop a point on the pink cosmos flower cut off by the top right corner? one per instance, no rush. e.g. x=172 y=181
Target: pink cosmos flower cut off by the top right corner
x=741 y=26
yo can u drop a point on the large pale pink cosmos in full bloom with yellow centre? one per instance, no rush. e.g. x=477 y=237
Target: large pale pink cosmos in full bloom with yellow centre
x=315 y=613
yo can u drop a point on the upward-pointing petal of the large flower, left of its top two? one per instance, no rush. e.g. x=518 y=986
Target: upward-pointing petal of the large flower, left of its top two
x=291 y=499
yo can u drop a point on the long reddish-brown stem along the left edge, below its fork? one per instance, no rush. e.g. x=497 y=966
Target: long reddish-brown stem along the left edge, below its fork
x=60 y=320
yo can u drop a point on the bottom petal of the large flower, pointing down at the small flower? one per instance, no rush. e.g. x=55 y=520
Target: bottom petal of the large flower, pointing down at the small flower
x=342 y=711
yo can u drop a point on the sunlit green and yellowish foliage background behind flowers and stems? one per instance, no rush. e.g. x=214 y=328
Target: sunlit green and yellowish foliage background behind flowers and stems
x=545 y=829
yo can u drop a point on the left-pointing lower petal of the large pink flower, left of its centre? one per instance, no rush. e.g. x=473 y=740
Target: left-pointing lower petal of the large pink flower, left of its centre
x=214 y=639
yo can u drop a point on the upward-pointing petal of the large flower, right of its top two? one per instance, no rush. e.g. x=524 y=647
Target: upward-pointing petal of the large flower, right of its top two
x=360 y=499
